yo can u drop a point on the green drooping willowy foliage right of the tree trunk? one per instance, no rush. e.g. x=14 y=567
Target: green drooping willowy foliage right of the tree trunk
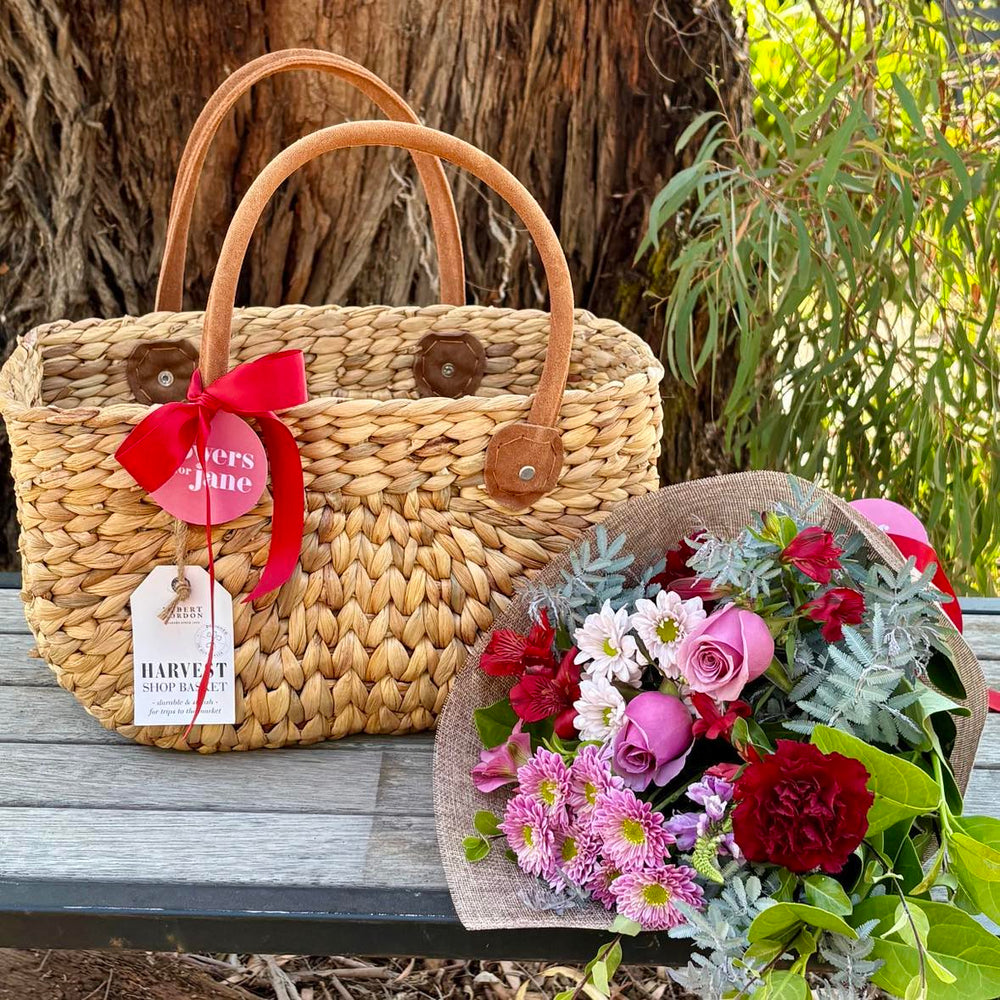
x=847 y=248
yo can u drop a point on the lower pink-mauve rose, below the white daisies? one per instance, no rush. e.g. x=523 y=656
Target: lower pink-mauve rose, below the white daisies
x=654 y=742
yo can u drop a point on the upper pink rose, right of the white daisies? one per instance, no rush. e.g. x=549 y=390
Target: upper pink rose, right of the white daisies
x=725 y=652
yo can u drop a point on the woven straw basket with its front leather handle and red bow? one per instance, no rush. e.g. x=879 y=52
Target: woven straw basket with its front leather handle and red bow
x=420 y=512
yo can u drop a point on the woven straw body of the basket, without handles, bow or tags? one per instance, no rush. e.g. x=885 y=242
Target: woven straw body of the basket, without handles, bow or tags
x=405 y=559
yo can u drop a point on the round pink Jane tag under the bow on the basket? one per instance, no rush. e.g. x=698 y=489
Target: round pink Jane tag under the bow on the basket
x=236 y=475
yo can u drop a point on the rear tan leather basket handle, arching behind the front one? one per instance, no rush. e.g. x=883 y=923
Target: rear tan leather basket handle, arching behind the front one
x=170 y=289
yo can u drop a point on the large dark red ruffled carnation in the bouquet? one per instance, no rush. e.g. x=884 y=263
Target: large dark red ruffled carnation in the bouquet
x=801 y=808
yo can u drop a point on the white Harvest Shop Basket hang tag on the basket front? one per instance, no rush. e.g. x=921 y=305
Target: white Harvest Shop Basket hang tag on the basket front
x=169 y=657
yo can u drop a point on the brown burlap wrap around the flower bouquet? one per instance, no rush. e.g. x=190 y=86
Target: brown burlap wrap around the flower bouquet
x=492 y=893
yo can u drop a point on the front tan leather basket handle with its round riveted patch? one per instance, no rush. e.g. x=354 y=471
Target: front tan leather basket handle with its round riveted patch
x=523 y=459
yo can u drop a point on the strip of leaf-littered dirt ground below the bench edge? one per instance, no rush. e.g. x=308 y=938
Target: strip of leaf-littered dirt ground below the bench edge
x=96 y=975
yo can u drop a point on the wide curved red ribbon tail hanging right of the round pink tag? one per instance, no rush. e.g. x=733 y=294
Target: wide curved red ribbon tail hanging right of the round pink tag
x=288 y=494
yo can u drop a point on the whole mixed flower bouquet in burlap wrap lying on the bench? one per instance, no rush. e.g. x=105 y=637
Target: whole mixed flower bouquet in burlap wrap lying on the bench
x=733 y=713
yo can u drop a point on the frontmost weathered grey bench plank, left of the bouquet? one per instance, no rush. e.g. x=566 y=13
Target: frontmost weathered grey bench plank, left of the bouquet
x=219 y=848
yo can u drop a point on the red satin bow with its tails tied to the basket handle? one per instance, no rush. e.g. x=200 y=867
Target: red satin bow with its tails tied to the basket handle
x=156 y=448
